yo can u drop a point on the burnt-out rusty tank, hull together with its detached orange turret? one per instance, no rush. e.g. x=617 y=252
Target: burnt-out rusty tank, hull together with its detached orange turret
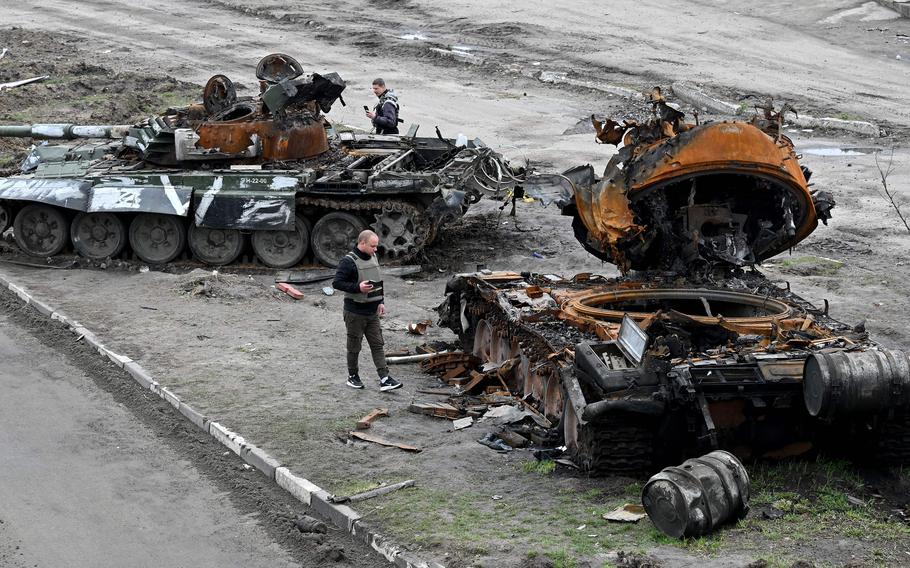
x=687 y=351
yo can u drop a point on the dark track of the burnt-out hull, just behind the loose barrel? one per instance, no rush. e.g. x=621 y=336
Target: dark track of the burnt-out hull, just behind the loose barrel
x=619 y=444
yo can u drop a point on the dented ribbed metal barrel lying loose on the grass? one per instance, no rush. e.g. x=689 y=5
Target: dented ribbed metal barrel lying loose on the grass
x=696 y=497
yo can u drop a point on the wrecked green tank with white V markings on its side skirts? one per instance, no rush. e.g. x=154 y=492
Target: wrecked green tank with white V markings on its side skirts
x=267 y=173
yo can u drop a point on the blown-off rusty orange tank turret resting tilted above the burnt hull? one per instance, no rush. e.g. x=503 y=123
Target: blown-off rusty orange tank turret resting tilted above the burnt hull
x=677 y=196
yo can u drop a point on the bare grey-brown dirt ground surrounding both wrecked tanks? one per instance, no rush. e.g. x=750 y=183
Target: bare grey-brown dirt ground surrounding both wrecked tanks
x=272 y=369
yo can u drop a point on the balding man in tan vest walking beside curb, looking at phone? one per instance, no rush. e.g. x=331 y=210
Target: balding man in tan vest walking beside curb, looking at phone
x=358 y=277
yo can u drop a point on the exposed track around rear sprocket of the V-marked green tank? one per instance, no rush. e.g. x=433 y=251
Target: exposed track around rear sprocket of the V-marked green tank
x=423 y=228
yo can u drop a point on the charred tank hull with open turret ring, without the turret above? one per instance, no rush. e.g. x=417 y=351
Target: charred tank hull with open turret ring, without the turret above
x=642 y=372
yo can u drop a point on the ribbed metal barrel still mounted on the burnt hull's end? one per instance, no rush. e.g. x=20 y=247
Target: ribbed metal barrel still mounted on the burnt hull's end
x=856 y=382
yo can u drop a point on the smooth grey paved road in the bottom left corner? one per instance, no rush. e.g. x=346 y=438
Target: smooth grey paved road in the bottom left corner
x=82 y=483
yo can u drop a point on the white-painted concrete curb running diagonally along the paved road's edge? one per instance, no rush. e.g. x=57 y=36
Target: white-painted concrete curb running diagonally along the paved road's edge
x=300 y=488
